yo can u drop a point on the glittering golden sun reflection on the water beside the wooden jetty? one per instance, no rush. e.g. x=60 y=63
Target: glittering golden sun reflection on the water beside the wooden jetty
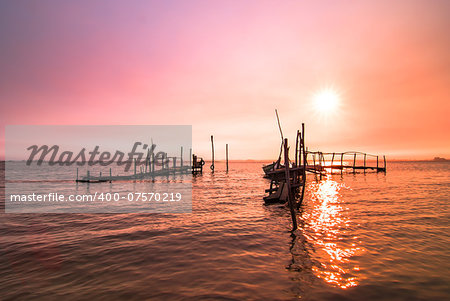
x=327 y=227
